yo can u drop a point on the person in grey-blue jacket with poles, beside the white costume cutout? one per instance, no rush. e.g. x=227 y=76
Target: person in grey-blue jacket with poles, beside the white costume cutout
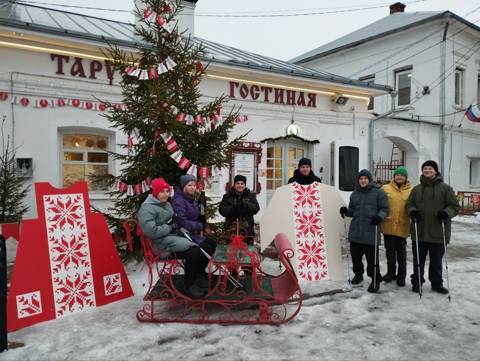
x=368 y=207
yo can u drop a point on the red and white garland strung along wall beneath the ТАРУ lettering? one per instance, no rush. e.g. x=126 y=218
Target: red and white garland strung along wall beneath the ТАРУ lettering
x=45 y=103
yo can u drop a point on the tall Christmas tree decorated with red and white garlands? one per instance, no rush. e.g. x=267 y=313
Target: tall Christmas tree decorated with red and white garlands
x=170 y=132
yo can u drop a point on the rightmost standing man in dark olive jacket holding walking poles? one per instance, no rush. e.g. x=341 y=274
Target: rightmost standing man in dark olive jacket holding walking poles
x=431 y=206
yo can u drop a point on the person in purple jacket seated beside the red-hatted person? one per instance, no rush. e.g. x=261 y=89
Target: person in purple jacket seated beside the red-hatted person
x=187 y=213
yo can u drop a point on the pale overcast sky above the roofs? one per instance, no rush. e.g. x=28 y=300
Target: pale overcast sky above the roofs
x=281 y=37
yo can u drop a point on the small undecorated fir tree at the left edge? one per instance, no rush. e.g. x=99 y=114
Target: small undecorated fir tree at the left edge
x=12 y=188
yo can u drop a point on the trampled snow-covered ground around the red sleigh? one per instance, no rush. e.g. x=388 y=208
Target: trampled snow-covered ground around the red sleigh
x=393 y=325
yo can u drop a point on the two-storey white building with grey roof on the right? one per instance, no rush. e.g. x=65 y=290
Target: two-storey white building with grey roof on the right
x=432 y=60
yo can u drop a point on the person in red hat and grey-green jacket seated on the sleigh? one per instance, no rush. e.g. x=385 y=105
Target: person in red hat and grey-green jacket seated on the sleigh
x=156 y=219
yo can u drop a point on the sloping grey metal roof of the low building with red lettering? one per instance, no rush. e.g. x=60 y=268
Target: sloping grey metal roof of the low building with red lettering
x=73 y=25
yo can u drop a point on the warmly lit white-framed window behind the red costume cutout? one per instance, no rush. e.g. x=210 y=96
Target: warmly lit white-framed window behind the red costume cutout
x=85 y=158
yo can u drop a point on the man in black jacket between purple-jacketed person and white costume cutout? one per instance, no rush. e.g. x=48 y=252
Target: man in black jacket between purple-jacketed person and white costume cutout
x=240 y=204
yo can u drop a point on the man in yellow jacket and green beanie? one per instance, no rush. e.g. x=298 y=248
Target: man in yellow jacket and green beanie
x=396 y=227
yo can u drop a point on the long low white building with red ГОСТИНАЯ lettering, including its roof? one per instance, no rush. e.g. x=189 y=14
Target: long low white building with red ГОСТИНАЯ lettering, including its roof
x=53 y=77
